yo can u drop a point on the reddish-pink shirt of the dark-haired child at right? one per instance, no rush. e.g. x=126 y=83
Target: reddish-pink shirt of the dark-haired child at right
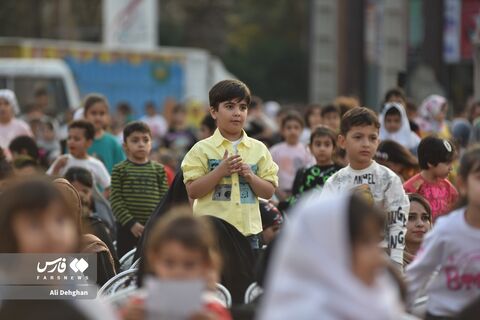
x=441 y=195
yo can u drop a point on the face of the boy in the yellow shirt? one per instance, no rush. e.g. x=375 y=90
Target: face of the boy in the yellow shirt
x=230 y=116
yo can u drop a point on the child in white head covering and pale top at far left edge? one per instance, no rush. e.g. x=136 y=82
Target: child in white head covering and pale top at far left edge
x=10 y=127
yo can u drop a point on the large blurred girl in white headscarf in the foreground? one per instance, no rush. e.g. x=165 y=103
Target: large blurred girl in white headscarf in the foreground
x=328 y=265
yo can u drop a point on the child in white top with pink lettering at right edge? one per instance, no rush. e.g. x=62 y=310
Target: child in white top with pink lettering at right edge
x=453 y=248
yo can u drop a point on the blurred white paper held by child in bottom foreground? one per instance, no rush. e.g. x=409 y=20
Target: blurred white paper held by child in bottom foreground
x=173 y=300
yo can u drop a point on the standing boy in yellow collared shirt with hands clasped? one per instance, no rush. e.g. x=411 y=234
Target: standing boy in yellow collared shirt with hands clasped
x=227 y=172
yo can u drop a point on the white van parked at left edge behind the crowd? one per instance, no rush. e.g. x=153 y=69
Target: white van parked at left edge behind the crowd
x=26 y=76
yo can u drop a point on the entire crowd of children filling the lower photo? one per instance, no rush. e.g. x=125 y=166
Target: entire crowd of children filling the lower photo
x=342 y=212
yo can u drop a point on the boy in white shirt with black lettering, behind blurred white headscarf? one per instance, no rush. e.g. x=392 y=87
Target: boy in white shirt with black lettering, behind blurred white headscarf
x=359 y=131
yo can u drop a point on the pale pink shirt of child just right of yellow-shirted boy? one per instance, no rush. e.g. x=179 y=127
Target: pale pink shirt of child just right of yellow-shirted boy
x=289 y=159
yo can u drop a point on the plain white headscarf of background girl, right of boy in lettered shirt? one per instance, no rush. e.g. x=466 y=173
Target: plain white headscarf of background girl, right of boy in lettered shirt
x=404 y=135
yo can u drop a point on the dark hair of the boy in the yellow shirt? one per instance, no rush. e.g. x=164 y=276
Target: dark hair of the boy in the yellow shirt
x=228 y=90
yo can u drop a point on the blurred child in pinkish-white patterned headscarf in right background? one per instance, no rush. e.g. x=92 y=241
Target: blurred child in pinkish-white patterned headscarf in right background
x=433 y=112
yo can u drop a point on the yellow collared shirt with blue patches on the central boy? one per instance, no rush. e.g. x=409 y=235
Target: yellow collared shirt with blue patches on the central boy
x=232 y=200
